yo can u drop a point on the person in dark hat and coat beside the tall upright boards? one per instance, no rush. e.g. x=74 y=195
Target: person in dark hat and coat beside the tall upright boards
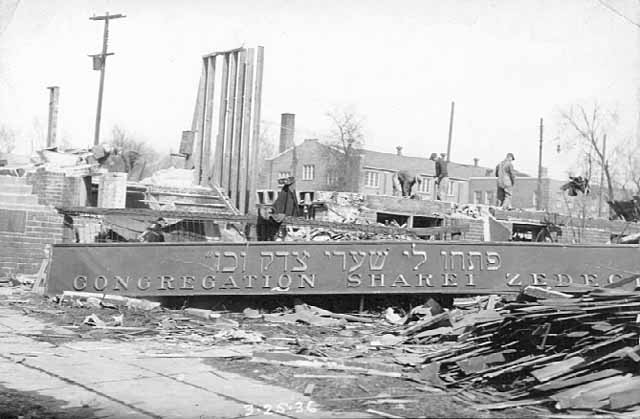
x=286 y=204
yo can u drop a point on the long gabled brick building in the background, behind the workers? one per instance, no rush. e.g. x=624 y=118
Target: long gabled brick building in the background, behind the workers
x=315 y=167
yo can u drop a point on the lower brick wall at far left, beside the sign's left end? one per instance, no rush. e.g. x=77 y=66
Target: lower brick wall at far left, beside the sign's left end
x=24 y=235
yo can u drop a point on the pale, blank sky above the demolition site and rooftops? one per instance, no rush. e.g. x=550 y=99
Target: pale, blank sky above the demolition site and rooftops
x=506 y=63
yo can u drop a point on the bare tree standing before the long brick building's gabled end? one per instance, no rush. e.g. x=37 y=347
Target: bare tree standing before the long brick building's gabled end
x=347 y=139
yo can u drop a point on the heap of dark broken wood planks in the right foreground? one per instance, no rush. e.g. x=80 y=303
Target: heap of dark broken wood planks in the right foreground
x=576 y=350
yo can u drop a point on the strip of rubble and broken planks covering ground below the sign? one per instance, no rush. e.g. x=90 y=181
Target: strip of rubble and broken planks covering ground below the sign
x=566 y=354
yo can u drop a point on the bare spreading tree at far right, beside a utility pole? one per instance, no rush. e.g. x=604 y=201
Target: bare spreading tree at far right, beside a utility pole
x=589 y=128
